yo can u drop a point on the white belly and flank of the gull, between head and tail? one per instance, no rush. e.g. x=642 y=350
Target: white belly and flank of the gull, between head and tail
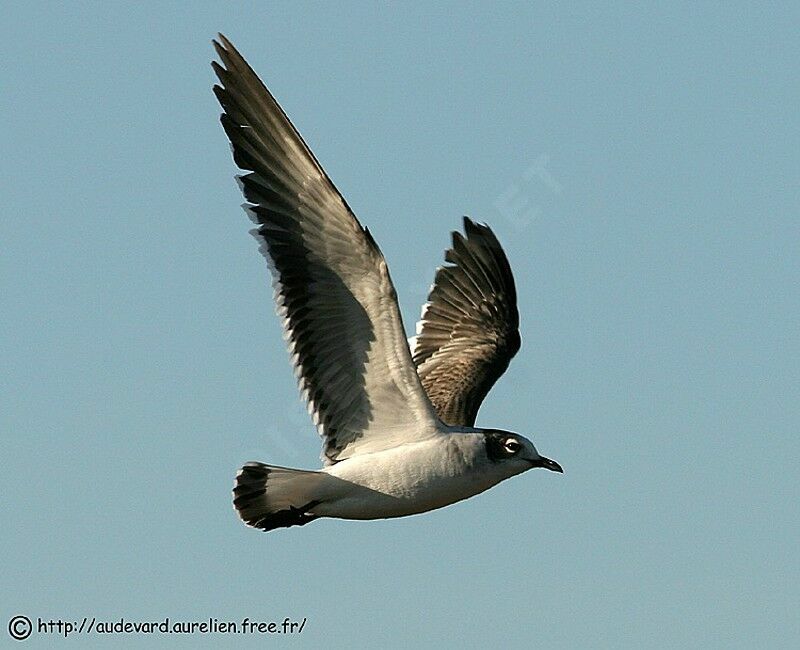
x=407 y=480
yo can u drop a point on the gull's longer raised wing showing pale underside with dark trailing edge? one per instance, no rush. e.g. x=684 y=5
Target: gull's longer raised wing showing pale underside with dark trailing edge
x=332 y=285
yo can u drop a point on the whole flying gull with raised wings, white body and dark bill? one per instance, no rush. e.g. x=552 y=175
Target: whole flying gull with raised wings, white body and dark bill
x=398 y=434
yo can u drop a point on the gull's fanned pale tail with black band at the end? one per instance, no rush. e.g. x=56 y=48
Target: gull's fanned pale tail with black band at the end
x=268 y=497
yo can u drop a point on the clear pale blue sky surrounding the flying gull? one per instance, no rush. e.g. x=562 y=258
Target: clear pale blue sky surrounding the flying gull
x=640 y=166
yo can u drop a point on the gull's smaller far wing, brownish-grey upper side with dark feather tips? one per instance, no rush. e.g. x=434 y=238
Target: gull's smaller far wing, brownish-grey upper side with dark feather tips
x=469 y=328
